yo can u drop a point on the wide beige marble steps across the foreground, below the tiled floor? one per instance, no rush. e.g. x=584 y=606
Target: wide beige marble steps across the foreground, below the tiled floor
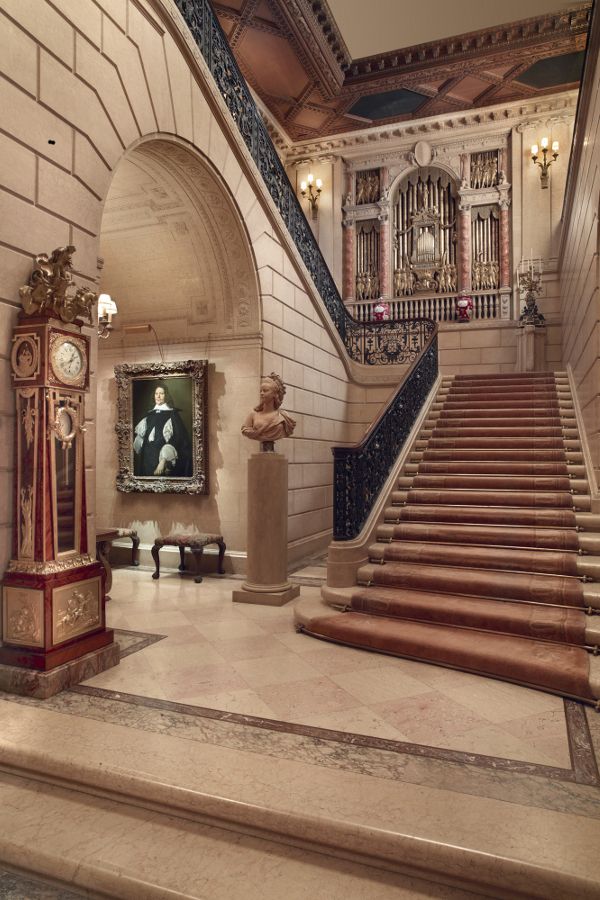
x=199 y=821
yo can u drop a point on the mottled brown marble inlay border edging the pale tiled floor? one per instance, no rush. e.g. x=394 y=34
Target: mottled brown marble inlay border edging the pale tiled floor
x=569 y=790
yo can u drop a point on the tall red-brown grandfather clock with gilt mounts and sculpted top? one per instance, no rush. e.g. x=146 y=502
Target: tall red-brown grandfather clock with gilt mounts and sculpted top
x=53 y=590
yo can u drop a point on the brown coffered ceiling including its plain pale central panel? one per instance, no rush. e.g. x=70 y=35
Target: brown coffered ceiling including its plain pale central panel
x=325 y=68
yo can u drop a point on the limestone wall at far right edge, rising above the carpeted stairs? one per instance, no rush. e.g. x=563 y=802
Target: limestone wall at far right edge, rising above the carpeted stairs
x=580 y=270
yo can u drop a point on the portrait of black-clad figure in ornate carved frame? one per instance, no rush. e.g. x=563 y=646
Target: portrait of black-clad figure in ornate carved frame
x=161 y=427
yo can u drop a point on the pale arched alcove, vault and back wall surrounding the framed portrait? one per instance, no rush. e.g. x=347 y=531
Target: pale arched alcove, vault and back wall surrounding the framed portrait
x=175 y=255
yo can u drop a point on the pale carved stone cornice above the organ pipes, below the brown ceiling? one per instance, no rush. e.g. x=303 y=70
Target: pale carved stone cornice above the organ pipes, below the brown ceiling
x=355 y=146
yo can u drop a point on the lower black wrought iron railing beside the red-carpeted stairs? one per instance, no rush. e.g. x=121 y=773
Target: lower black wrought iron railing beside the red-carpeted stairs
x=360 y=471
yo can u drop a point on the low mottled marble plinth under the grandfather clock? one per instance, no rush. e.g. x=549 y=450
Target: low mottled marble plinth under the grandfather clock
x=33 y=683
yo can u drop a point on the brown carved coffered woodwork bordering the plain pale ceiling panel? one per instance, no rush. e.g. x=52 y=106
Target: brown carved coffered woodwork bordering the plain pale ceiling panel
x=489 y=61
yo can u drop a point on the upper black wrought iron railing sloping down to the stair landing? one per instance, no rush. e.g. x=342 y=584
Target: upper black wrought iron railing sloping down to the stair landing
x=373 y=344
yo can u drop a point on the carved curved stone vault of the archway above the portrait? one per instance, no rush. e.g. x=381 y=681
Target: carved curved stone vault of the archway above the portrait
x=174 y=249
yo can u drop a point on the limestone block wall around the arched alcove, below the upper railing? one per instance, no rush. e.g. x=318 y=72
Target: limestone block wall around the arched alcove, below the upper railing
x=84 y=85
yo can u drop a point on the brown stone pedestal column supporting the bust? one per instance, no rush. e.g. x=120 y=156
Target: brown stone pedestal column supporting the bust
x=266 y=568
